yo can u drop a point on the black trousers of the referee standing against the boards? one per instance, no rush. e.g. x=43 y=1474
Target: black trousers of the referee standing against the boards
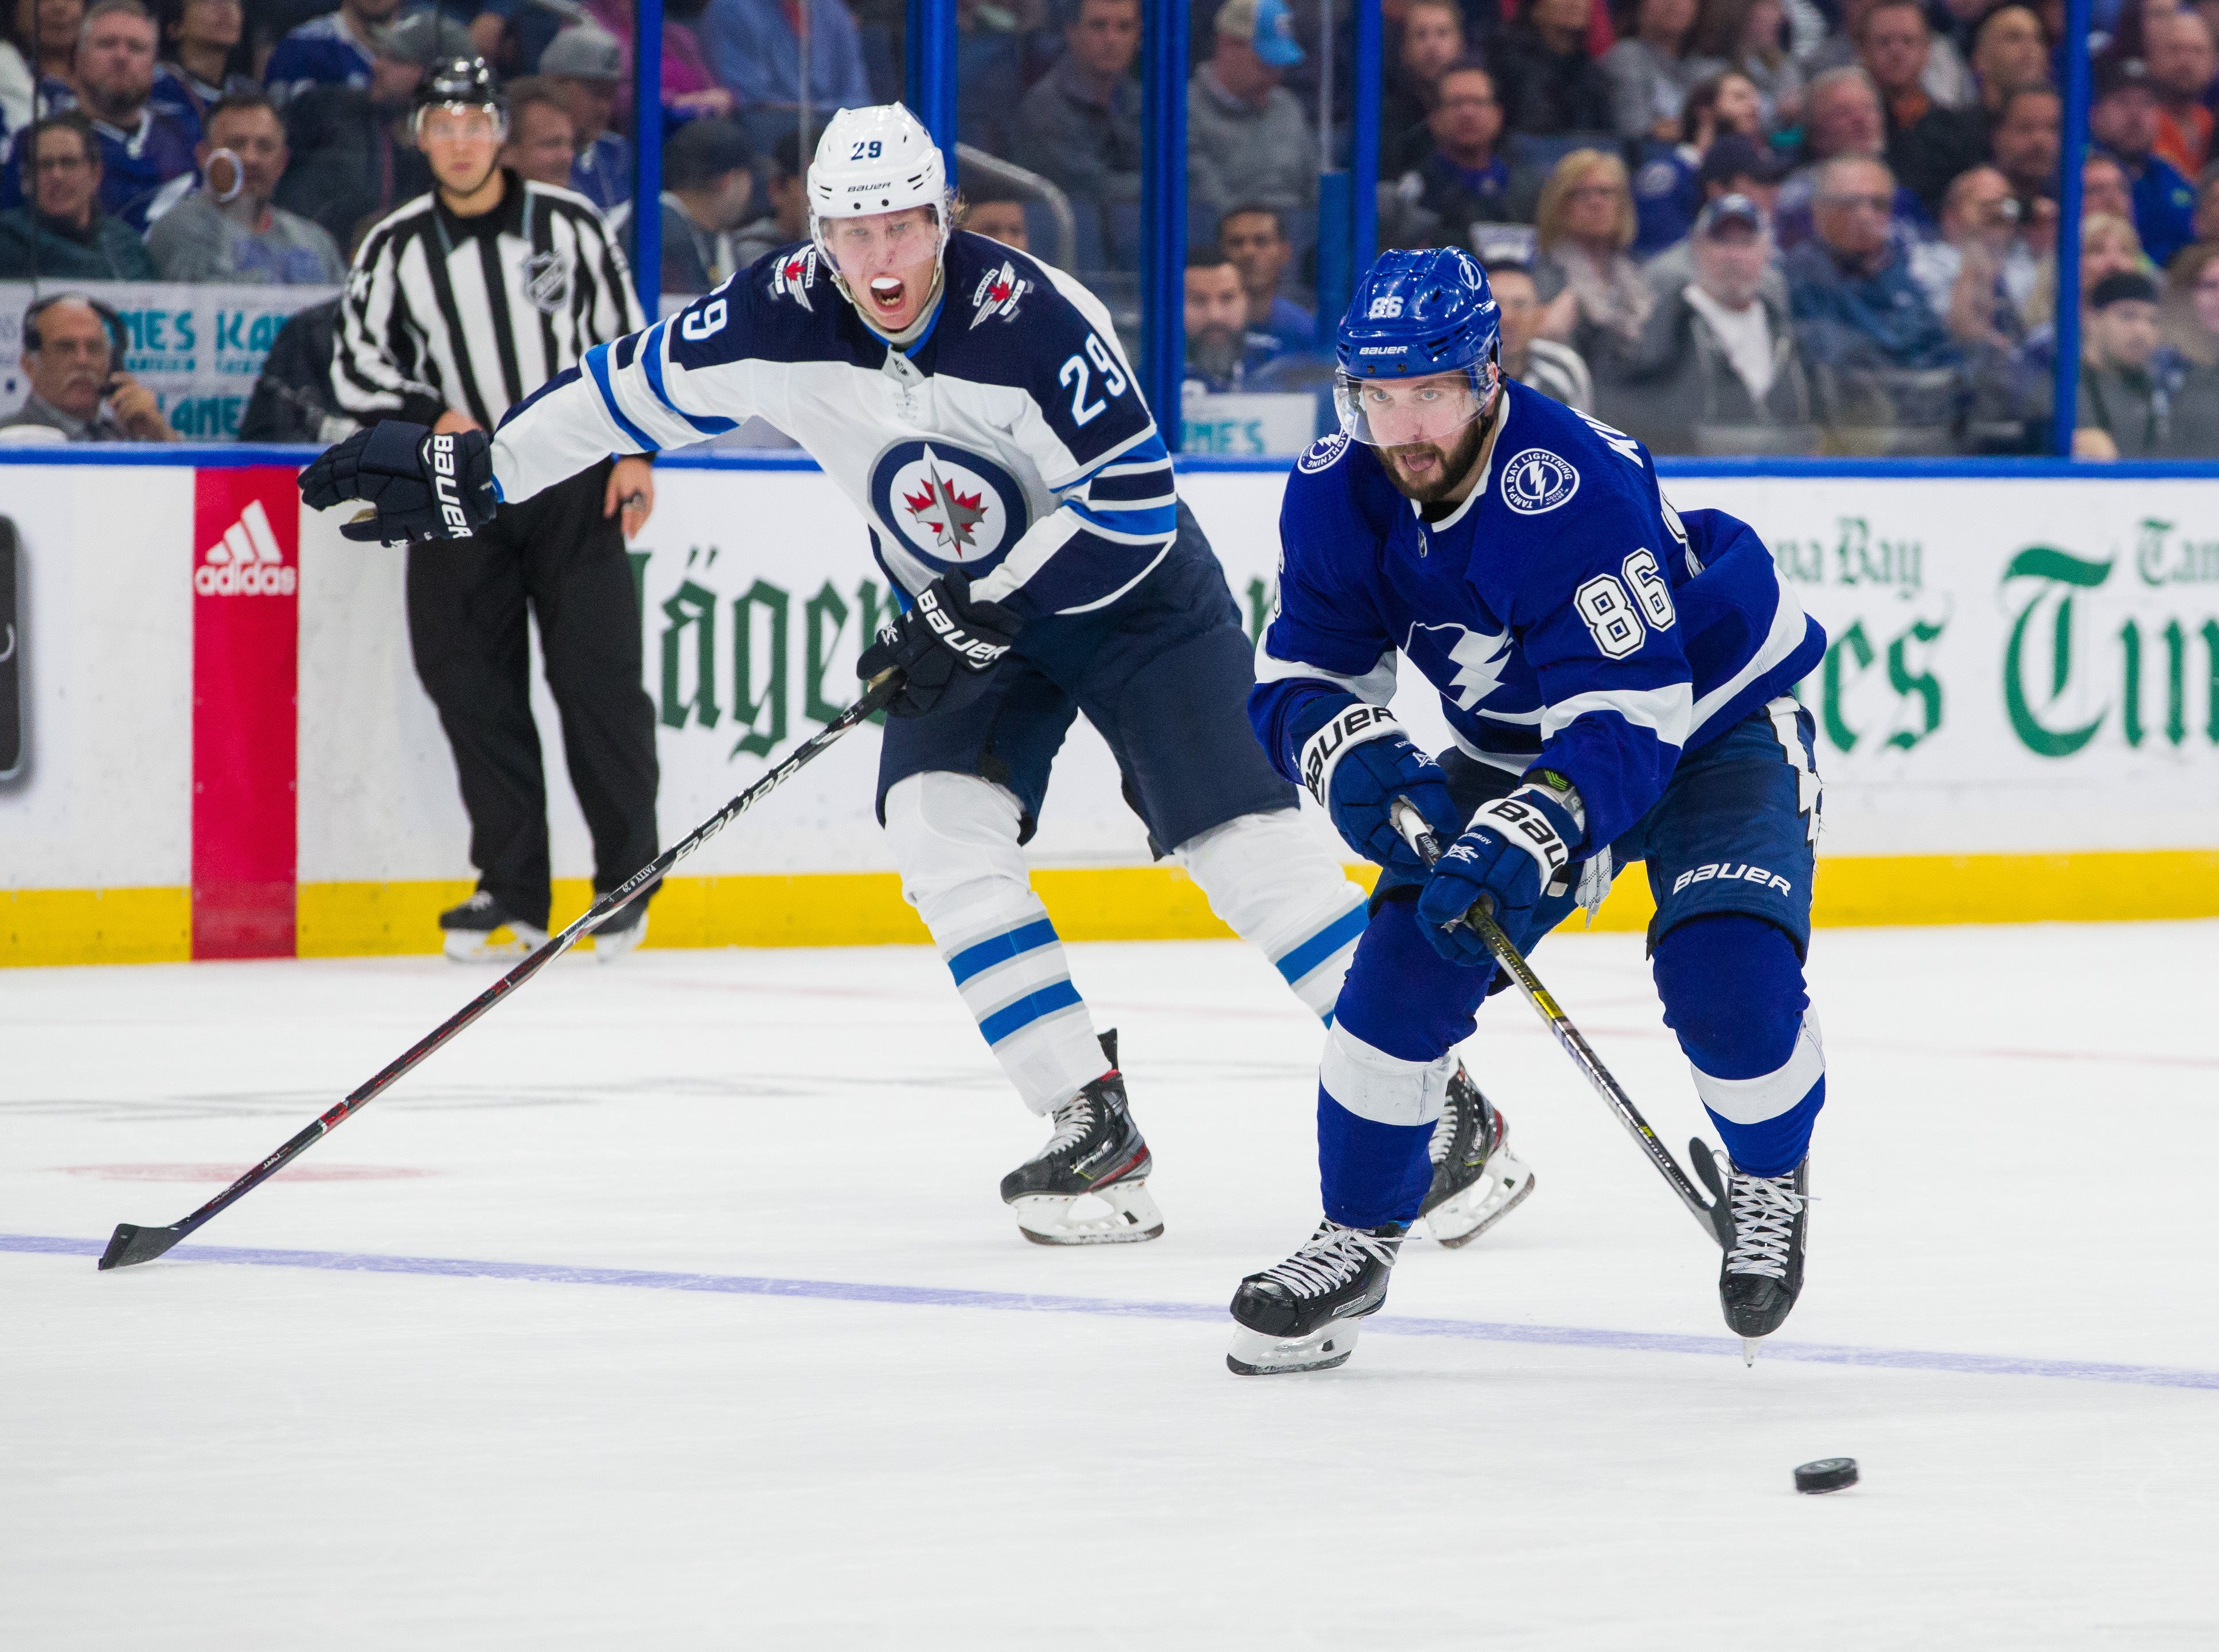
x=467 y=600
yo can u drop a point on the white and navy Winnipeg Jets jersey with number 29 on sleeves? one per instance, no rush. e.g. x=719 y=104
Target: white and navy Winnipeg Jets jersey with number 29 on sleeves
x=1006 y=442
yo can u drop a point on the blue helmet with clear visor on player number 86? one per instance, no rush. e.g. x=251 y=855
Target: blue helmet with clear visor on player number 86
x=1417 y=316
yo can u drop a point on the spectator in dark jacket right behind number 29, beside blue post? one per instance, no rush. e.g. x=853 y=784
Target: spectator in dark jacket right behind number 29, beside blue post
x=1082 y=123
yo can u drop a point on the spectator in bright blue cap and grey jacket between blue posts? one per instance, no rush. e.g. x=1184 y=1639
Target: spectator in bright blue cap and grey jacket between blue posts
x=1246 y=134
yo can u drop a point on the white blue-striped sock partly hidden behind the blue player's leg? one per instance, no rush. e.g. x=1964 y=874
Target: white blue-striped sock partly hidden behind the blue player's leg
x=1277 y=886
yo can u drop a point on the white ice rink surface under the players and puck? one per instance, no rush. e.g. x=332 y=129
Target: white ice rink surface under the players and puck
x=2016 y=1165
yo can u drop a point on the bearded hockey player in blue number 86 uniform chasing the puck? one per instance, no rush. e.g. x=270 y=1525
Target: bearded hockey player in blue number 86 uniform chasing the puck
x=1617 y=680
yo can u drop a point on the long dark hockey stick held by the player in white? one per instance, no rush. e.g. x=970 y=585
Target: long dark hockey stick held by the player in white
x=134 y=1245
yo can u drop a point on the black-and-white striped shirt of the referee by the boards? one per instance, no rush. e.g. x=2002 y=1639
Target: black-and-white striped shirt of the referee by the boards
x=476 y=314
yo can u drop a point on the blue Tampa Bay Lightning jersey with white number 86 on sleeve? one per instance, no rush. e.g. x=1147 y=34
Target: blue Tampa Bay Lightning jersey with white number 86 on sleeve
x=1568 y=615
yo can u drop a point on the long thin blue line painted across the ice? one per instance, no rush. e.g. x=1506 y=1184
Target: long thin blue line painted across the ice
x=918 y=1296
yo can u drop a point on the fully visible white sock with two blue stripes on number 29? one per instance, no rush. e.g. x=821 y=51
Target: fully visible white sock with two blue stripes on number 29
x=955 y=842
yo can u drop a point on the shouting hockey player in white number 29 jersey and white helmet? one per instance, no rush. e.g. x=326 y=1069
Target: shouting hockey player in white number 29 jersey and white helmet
x=980 y=414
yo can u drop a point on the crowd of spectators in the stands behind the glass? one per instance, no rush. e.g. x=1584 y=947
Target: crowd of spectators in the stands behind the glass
x=1721 y=225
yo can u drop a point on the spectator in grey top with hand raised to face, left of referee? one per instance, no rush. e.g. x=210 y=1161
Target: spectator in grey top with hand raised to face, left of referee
x=227 y=230
